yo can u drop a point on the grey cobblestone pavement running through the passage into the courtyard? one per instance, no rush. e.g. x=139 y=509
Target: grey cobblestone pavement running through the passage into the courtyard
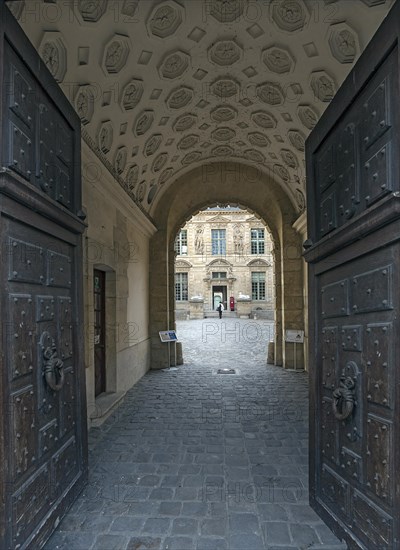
x=196 y=460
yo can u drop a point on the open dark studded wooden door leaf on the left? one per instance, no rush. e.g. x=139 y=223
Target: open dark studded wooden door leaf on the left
x=43 y=441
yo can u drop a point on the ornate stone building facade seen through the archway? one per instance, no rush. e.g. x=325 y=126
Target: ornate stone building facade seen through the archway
x=224 y=254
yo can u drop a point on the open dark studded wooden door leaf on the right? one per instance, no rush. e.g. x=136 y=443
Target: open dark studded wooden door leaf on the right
x=354 y=268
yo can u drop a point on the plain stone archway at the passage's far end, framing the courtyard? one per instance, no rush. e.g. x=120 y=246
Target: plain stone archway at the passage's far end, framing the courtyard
x=231 y=183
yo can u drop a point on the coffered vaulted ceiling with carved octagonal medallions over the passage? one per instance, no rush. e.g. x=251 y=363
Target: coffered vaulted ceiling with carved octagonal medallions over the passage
x=163 y=87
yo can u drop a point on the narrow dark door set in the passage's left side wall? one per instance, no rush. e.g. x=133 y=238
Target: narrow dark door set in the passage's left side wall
x=99 y=278
